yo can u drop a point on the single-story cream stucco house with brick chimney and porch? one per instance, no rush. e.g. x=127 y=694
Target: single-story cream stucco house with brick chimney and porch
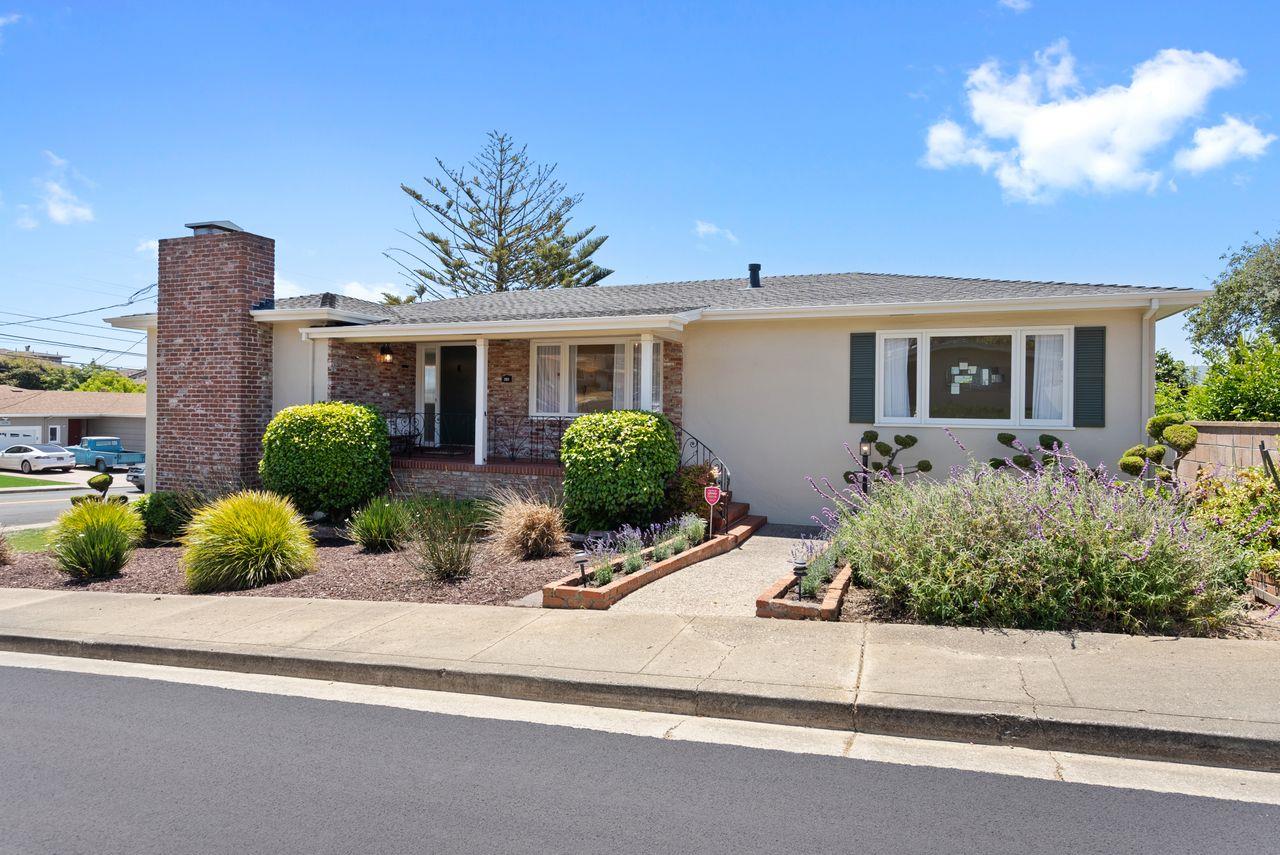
x=770 y=376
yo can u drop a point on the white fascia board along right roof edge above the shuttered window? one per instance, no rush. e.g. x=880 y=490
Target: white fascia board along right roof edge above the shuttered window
x=1173 y=301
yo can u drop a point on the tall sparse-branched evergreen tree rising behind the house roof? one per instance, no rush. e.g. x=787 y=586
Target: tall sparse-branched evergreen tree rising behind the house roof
x=501 y=223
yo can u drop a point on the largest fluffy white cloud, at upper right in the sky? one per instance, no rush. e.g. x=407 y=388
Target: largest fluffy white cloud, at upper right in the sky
x=1040 y=134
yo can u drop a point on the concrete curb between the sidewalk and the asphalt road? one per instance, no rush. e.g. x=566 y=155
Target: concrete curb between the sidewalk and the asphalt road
x=1131 y=735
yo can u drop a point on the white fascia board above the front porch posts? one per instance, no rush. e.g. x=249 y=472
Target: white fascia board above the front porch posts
x=514 y=328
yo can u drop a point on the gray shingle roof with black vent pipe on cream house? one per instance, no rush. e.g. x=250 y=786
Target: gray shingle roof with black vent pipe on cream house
x=776 y=292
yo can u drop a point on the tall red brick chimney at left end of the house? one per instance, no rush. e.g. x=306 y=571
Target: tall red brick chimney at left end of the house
x=213 y=360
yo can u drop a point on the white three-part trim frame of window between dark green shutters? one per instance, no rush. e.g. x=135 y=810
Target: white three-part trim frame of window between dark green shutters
x=1018 y=378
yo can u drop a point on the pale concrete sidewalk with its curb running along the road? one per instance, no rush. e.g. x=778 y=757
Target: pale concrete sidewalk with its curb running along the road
x=1197 y=701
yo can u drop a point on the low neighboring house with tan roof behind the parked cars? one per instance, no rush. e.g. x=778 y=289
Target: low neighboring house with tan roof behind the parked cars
x=63 y=418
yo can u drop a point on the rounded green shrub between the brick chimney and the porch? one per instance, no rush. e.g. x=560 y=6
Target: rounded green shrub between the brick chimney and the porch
x=328 y=458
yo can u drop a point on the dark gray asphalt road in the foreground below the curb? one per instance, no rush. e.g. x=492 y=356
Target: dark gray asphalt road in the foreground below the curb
x=115 y=765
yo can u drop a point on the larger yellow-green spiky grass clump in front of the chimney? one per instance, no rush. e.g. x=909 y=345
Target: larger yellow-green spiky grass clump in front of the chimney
x=246 y=541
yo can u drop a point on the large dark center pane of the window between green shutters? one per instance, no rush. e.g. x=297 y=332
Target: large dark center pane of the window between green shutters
x=970 y=377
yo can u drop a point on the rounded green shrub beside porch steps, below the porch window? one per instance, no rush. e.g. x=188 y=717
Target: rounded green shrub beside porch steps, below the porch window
x=616 y=468
